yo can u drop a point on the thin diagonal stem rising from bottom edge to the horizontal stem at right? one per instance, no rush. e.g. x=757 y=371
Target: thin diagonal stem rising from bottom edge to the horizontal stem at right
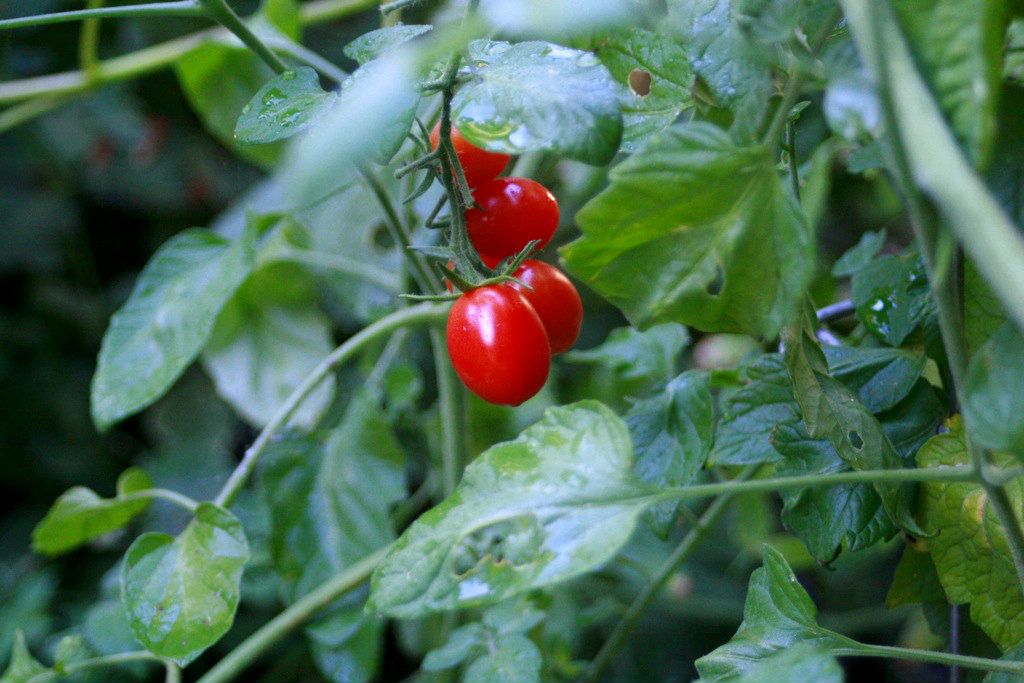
x=639 y=606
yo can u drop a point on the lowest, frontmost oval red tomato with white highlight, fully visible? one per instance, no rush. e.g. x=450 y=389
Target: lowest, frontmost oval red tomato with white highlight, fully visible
x=498 y=346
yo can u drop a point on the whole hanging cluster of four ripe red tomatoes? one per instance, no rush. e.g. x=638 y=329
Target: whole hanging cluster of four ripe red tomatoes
x=501 y=337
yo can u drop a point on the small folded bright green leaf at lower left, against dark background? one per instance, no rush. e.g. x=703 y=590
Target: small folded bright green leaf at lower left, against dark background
x=80 y=516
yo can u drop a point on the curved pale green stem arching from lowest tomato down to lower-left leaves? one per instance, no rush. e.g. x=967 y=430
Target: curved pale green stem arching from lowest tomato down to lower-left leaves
x=424 y=314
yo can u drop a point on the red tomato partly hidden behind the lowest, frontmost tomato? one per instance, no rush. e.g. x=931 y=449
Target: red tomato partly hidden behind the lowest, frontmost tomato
x=556 y=301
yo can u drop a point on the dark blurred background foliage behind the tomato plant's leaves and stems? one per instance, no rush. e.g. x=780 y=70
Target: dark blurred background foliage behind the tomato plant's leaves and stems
x=90 y=191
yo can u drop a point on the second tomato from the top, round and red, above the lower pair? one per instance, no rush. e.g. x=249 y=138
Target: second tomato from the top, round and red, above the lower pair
x=514 y=211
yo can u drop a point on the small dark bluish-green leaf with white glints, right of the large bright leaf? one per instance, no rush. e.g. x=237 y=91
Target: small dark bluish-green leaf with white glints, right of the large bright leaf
x=892 y=297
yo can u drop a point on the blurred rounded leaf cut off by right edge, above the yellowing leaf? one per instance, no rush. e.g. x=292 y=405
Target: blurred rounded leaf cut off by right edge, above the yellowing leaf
x=994 y=406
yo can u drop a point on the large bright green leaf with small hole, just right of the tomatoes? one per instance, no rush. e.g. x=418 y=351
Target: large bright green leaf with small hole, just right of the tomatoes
x=724 y=247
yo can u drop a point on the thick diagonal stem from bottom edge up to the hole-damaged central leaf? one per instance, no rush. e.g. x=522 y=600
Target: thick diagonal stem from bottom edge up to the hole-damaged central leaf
x=294 y=617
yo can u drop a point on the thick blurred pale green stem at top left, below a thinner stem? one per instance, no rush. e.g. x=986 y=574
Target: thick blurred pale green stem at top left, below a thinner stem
x=157 y=57
